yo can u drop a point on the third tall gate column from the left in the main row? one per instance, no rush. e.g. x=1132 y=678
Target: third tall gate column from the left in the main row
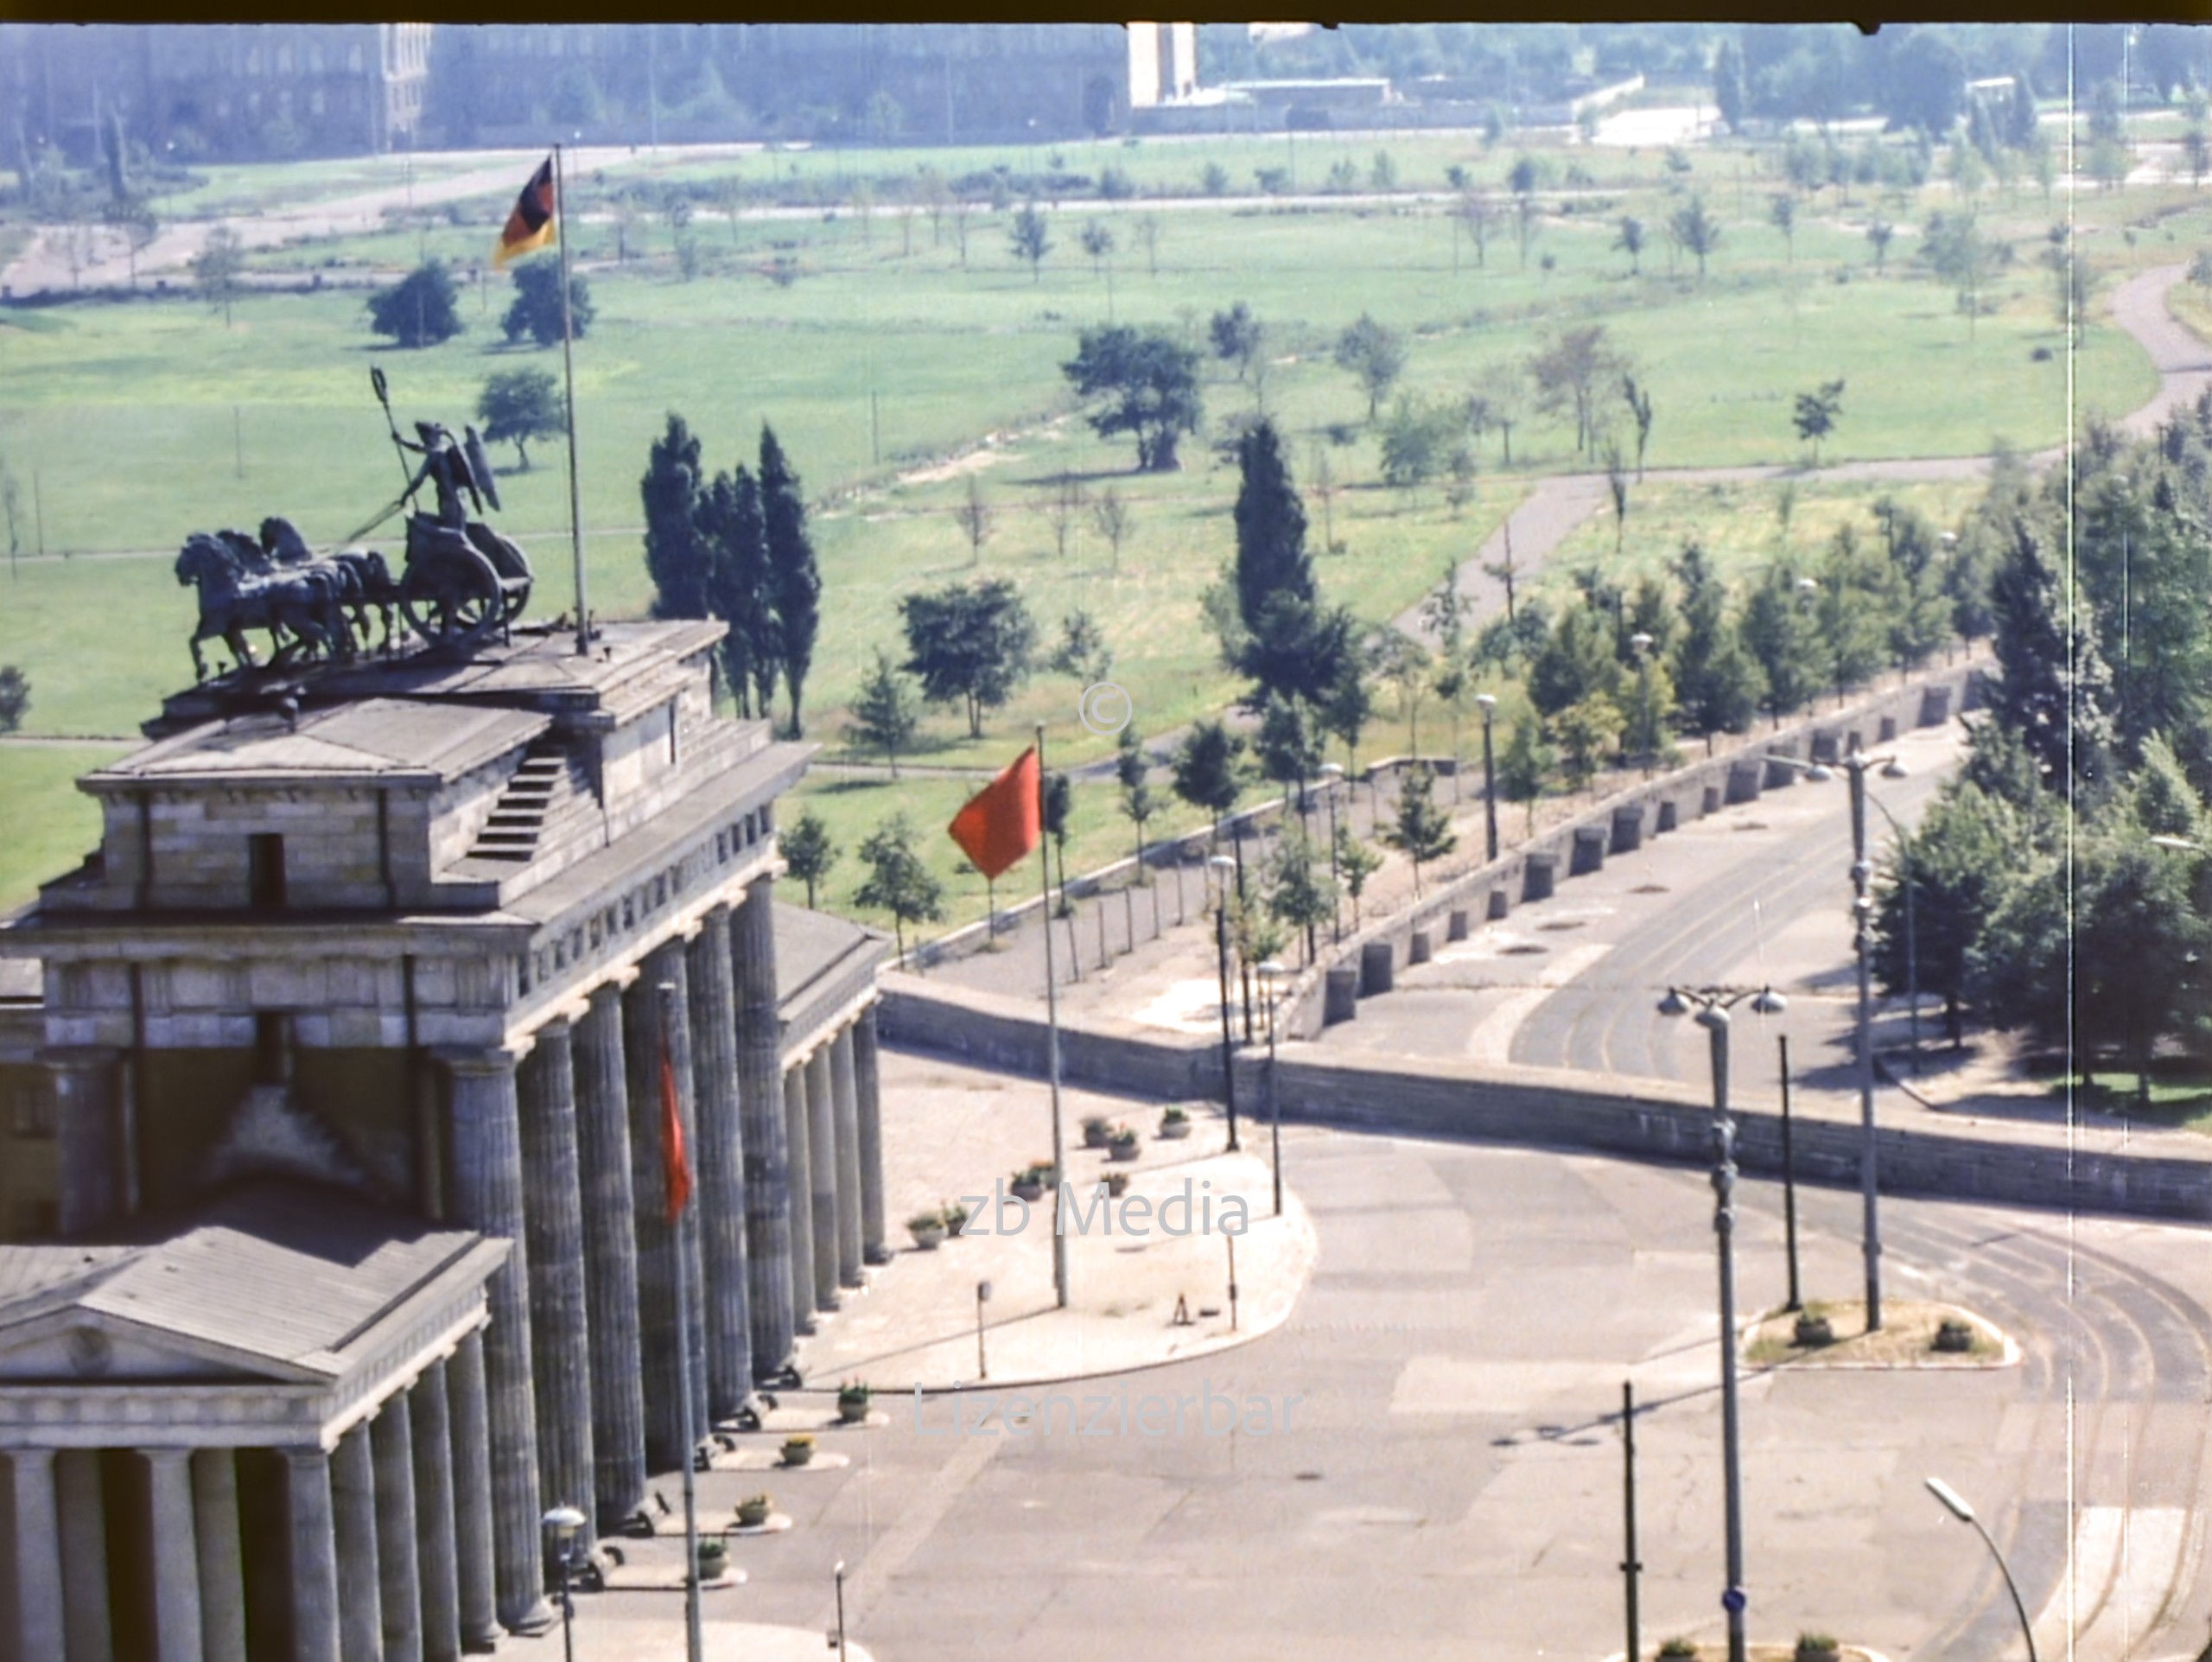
x=603 y=1130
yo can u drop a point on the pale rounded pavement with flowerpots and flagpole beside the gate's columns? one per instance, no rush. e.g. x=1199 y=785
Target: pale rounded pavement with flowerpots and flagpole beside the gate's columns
x=959 y=1132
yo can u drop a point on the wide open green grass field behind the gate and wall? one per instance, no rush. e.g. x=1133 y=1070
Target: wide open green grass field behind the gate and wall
x=129 y=426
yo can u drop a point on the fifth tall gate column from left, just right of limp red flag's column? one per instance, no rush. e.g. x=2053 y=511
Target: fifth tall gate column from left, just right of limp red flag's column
x=722 y=1165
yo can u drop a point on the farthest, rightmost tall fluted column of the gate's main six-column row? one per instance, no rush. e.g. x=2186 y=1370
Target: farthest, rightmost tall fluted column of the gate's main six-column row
x=760 y=1092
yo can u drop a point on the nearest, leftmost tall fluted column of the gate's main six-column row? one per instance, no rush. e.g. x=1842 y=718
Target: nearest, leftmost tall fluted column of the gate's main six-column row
x=486 y=1194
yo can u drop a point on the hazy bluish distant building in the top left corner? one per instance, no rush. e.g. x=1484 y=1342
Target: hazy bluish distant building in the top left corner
x=220 y=90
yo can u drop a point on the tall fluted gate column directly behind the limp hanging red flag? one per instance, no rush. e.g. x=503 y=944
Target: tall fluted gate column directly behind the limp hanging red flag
x=669 y=1442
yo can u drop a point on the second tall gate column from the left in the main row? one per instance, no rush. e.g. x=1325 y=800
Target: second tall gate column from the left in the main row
x=561 y=1340
